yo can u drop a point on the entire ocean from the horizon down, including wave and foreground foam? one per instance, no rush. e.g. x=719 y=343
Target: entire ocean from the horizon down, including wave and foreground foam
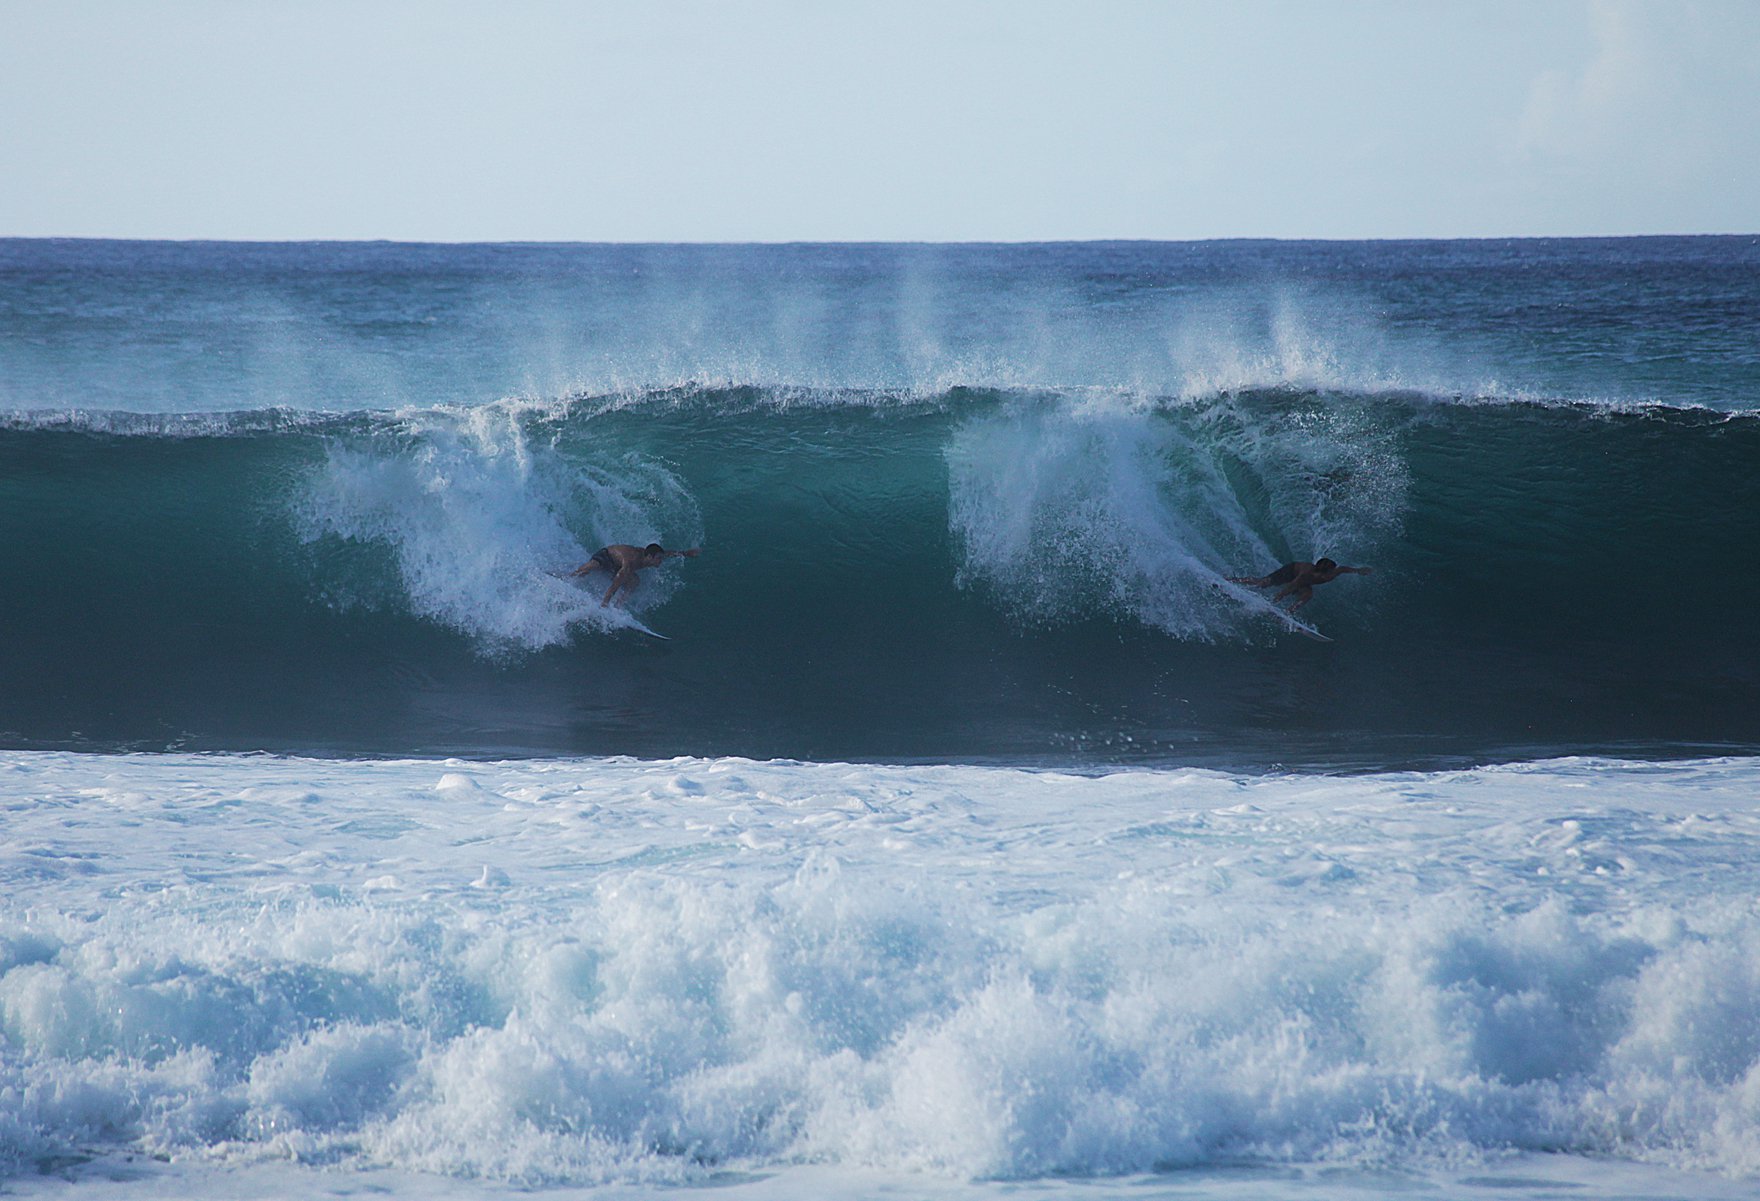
x=967 y=832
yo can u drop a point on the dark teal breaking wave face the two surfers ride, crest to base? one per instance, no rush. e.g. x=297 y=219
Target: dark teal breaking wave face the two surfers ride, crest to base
x=1544 y=573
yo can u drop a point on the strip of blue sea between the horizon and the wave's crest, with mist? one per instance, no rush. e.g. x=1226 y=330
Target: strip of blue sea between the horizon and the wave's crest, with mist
x=165 y=328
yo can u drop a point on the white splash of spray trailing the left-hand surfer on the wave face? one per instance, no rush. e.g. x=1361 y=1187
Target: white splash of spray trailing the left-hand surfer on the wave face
x=480 y=517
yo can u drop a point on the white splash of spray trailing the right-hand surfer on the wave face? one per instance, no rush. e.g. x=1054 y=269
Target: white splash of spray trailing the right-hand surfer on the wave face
x=1069 y=508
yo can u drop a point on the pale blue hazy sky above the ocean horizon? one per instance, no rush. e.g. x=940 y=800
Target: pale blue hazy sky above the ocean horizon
x=891 y=121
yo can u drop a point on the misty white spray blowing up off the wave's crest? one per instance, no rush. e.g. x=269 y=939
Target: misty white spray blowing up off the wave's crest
x=913 y=320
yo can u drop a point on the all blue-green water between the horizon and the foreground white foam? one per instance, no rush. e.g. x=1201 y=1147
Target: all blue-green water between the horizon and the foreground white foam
x=971 y=503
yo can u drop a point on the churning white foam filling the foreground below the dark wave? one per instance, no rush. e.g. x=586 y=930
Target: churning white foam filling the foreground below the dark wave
x=617 y=971
